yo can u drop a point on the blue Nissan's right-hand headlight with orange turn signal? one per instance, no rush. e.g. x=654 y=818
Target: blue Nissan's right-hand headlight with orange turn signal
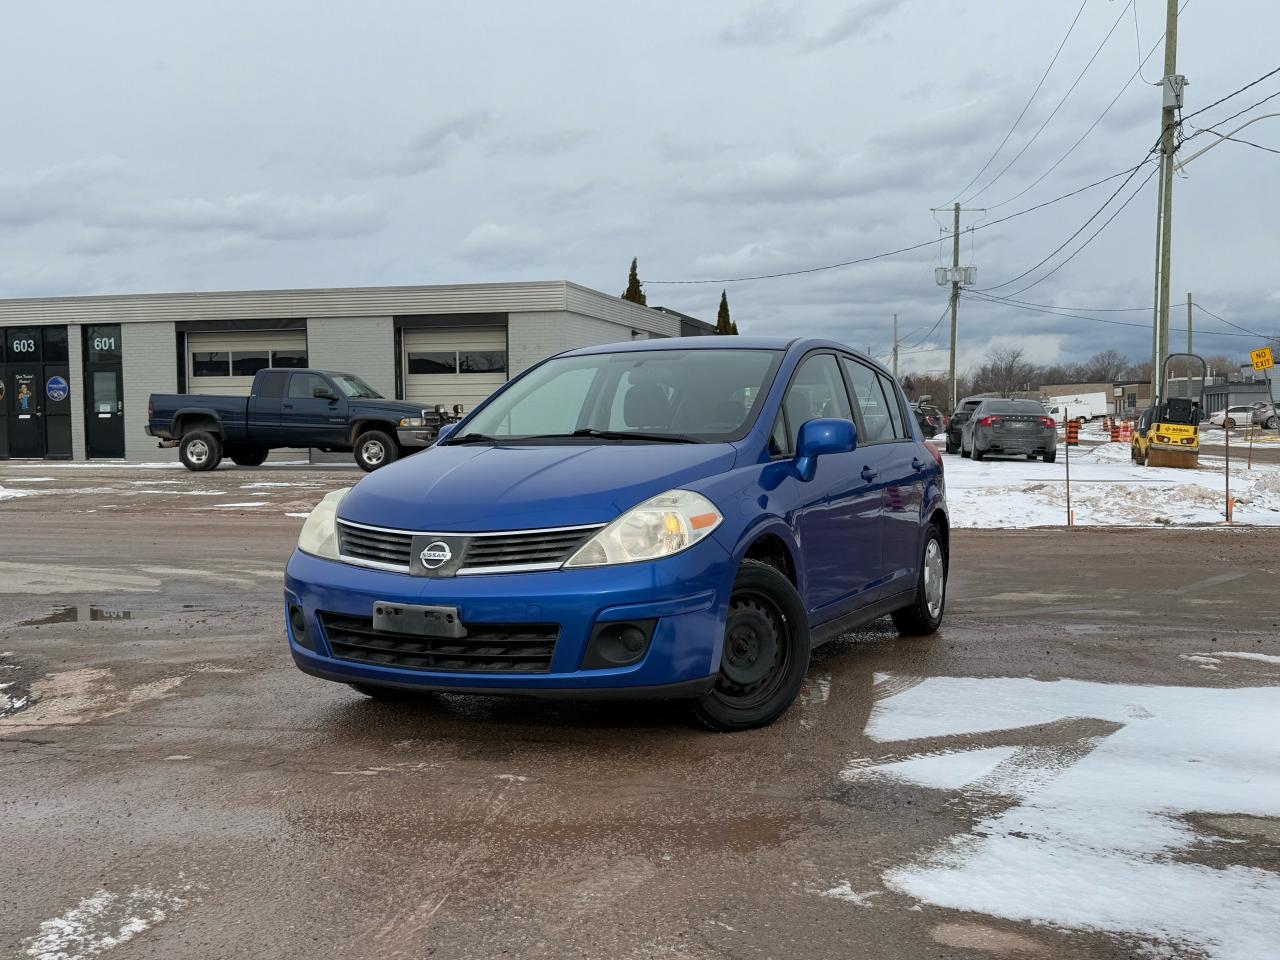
x=659 y=528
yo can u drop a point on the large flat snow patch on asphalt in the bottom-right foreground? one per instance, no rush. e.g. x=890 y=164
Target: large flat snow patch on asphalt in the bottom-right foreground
x=1101 y=836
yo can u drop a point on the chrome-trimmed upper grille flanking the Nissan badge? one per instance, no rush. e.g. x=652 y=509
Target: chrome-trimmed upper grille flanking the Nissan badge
x=509 y=552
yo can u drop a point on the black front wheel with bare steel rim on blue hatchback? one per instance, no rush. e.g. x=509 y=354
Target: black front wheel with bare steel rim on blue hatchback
x=766 y=653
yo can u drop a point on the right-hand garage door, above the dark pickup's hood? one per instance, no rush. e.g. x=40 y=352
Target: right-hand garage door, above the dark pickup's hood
x=450 y=367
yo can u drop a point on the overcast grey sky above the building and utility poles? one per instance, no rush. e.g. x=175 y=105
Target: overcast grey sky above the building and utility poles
x=182 y=147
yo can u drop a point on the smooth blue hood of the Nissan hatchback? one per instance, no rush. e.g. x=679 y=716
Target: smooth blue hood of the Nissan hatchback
x=478 y=487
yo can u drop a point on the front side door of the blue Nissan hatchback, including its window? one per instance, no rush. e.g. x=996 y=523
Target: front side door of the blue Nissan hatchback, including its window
x=838 y=514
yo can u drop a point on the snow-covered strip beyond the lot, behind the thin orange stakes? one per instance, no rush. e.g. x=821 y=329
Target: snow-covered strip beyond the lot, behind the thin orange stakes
x=1107 y=490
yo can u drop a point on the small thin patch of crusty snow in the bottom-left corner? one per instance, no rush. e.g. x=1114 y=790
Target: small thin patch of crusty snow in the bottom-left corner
x=100 y=924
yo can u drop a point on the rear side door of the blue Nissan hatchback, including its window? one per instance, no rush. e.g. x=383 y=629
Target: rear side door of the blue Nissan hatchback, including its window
x=899 y=464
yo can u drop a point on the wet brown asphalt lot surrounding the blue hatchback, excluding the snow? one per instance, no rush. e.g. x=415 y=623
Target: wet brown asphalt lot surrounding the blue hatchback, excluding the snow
x=177 y=789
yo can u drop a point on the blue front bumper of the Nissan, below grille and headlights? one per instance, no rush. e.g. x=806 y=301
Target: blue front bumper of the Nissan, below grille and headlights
x=687 y=597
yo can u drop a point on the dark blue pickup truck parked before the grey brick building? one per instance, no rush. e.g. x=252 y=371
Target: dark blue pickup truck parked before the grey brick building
x=318 y=409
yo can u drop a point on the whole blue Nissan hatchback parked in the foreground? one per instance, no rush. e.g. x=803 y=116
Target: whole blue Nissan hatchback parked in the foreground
x=666 y=519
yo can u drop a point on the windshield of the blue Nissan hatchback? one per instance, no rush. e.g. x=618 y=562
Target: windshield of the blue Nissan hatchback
x=666 y=395
